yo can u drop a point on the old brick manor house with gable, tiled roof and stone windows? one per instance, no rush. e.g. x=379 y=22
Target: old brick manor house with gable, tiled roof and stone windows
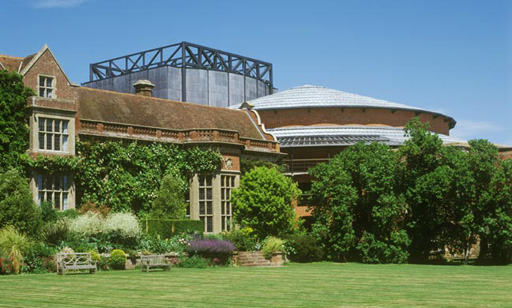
x=63 y=112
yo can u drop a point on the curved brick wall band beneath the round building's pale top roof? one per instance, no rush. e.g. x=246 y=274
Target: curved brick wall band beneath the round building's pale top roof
x=348 y=116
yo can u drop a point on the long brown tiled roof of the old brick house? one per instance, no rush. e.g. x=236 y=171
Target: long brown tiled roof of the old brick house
x=130 y=109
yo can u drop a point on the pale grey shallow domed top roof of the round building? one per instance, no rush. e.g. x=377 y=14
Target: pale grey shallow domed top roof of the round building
x=310 y=96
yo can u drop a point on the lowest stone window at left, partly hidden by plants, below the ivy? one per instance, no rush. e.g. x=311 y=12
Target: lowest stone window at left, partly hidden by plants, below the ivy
x=45 y=185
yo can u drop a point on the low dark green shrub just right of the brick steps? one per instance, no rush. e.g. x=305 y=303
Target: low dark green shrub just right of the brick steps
x=303 y=248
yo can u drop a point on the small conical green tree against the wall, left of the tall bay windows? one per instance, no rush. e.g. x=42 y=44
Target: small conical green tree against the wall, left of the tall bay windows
x=170 y=199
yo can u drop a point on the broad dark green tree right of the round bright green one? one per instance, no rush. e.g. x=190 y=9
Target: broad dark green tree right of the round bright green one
x=359 y=207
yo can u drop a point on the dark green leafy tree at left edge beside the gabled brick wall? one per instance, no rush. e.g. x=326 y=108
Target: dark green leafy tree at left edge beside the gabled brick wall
x=13 y=119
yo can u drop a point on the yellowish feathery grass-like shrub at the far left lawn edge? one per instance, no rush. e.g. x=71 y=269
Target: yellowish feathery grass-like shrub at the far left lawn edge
x=14 y=244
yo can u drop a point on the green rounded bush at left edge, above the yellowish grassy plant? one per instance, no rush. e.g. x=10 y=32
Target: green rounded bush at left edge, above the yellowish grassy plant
x=16 y=205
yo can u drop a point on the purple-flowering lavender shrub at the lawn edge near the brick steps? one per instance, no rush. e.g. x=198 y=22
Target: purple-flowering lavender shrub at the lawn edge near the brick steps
x=211 y=249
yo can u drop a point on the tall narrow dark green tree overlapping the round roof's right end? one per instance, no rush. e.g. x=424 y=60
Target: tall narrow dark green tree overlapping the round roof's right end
x=426 y=184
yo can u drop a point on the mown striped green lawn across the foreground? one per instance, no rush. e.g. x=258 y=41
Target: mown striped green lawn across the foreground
x=296 y=285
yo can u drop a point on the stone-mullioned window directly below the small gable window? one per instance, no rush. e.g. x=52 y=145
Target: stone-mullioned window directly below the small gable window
x=63 y=145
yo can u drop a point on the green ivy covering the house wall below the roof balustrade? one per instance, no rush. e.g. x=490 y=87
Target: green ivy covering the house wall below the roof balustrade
x=126 y=176
